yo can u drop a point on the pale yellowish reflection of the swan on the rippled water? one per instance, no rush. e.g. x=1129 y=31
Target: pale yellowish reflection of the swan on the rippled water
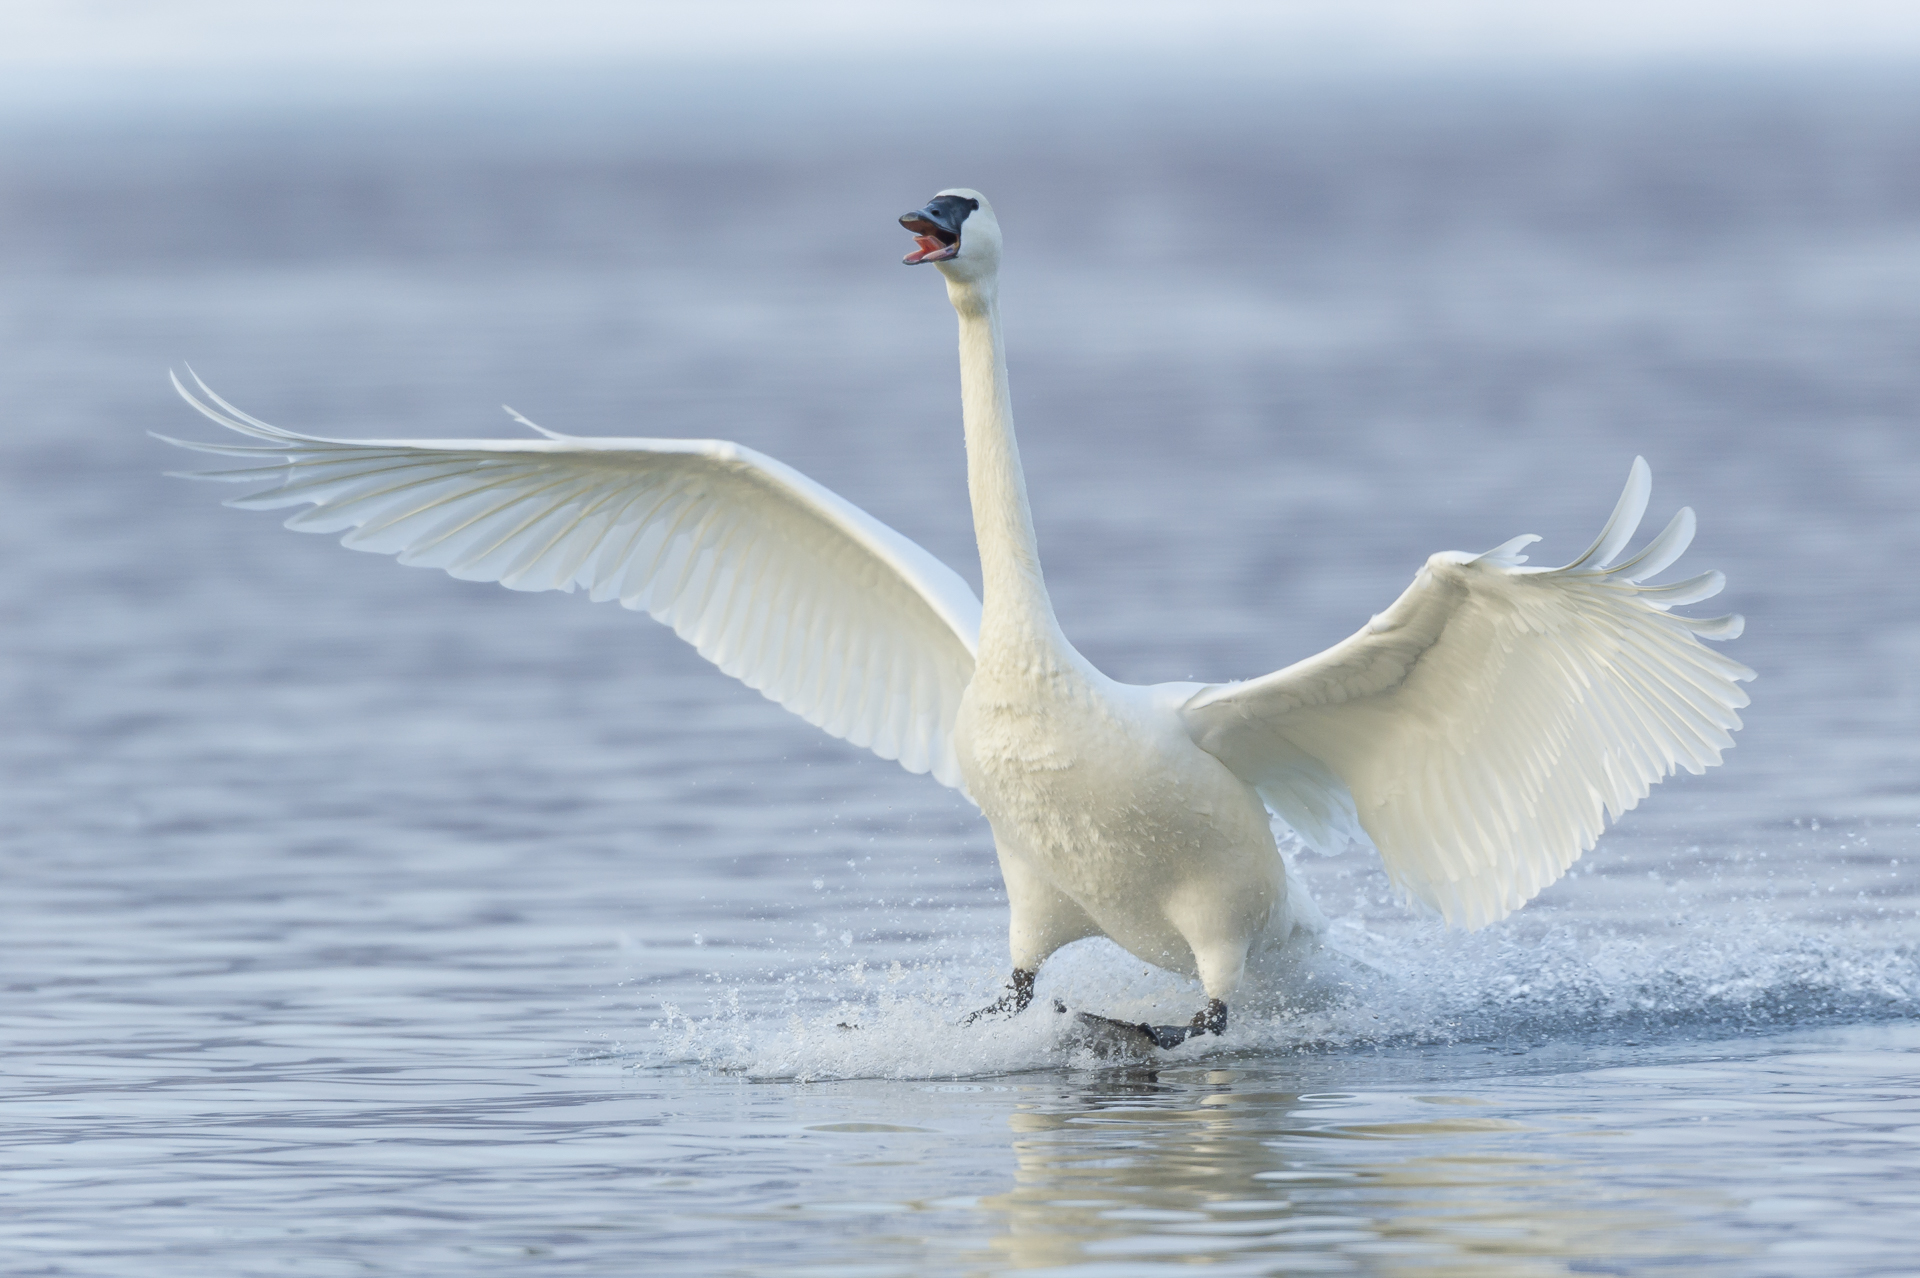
x=1132 y=1177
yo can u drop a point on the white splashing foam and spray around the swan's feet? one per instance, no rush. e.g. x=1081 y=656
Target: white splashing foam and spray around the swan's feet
x=1349 y=989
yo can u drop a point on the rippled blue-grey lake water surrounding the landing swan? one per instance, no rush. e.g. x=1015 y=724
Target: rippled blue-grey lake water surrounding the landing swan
x=360 y=920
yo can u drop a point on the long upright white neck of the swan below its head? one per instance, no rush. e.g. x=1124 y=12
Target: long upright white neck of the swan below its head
x=1017 y=619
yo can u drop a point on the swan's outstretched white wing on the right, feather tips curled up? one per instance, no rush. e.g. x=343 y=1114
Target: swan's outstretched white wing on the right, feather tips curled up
x=1489 y=724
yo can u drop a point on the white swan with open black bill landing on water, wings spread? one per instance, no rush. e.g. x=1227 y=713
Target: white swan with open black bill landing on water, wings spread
x=1479 y=734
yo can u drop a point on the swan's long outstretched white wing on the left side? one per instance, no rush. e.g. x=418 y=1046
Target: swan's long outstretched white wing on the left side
x=777 y=580
